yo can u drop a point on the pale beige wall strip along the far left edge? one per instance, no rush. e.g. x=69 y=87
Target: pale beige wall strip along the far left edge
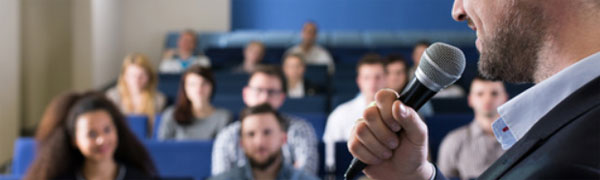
x=9 y=75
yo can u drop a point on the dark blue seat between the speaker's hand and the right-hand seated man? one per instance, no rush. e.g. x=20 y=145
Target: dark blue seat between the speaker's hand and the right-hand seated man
x=440 y=125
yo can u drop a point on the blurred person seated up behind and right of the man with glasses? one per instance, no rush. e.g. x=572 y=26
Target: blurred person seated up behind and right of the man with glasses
x=293 y=68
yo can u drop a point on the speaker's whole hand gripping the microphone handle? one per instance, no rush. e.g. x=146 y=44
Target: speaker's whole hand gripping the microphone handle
x=388 y=156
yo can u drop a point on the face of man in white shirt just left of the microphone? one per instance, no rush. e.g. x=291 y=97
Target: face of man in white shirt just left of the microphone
x=397 y=72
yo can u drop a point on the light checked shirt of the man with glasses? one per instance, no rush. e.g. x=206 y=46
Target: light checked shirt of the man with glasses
x=300 y=149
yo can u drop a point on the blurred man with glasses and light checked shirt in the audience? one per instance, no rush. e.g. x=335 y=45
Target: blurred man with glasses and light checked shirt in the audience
x=267 y=85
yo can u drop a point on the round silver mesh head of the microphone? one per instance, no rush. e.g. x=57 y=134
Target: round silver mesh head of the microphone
x=441 y=65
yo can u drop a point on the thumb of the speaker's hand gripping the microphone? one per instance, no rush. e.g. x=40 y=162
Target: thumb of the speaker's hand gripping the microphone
x=414 y=128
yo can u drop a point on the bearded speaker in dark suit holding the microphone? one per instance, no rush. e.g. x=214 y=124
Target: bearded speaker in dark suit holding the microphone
x=550 y=131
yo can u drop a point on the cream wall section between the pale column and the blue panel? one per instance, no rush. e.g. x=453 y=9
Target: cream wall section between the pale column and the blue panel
x=145 y=22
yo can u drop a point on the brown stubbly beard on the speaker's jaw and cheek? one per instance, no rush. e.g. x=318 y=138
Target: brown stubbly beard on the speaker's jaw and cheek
x=512 y=53
